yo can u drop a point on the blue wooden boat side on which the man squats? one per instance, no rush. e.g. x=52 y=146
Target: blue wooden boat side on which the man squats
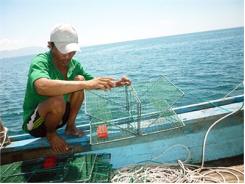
x=226 y=139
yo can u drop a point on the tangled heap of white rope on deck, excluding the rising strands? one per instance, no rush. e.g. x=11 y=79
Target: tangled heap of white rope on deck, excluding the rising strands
x=161 y=173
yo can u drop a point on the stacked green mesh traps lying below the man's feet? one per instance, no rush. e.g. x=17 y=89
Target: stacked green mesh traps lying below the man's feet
x=76 y=168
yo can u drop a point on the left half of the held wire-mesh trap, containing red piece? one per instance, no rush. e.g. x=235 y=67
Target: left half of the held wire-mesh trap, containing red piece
x=114 y=114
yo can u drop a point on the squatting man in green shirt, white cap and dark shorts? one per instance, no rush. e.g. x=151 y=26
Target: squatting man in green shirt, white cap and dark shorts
x=55 y=89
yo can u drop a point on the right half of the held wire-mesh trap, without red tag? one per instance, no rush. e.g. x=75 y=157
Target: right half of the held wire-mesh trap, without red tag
x=157 y=98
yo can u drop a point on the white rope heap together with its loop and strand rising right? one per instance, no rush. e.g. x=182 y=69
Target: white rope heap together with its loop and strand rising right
x=180 y=173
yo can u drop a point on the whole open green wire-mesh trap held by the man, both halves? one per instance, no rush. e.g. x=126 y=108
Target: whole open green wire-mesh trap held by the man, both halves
x=124 y=113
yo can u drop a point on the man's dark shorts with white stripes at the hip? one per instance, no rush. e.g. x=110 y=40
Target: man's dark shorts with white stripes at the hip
x=39 y=129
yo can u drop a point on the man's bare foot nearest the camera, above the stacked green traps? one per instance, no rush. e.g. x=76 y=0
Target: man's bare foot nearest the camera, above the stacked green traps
x=57 y=143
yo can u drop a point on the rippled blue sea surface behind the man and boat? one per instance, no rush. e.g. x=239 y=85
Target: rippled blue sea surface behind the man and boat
x=205 y=66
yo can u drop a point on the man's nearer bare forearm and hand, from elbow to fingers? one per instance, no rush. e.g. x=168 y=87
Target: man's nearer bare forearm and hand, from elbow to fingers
x=48 y=87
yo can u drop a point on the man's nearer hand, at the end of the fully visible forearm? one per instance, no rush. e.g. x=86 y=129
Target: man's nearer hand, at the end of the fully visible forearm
x=101 y=83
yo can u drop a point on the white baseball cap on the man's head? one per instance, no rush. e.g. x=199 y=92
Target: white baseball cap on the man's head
x=65 y=38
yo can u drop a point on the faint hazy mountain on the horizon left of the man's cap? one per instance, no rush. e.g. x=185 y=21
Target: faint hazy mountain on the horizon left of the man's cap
x=22 y=52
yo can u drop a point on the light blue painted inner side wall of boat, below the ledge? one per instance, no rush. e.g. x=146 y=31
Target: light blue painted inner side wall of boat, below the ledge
x=221 y=143
